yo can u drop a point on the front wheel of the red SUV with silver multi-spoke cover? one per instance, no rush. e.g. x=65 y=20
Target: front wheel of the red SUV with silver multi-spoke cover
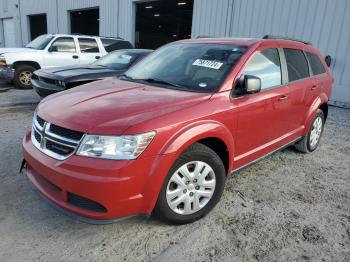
x=213 y=178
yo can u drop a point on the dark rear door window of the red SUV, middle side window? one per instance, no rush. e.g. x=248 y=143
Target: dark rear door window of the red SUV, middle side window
x=296 y=64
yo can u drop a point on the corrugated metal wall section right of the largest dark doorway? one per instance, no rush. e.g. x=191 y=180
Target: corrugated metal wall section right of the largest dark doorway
x=324 y=23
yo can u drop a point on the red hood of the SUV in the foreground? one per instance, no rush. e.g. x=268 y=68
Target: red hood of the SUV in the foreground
x=111 y=106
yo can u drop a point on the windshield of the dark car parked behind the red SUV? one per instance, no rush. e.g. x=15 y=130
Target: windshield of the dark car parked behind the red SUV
x=118 y=59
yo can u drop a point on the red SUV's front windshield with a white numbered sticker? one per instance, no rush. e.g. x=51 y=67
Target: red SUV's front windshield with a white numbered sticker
x=192 y=67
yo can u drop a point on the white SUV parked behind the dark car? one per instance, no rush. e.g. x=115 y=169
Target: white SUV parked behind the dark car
x=53 y=50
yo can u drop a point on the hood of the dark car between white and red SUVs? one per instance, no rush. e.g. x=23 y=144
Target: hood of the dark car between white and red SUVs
x=77 y=72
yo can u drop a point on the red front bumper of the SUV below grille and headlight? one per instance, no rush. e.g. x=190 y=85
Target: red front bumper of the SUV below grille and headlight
x=96 y=189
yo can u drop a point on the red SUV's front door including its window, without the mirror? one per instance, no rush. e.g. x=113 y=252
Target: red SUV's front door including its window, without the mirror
x=260 y=119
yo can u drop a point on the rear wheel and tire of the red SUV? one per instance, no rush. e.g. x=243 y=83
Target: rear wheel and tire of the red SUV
x=307 y=144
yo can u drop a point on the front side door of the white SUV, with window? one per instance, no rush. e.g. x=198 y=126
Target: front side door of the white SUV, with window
x=62 y=52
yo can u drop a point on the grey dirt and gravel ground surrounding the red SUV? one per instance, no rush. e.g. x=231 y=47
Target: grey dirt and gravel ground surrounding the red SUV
x=288 y=207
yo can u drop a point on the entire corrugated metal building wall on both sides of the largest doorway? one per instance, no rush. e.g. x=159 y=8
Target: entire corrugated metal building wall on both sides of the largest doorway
x=325 y=23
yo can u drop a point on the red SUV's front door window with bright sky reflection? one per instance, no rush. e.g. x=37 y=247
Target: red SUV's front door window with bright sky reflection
x=266 y=65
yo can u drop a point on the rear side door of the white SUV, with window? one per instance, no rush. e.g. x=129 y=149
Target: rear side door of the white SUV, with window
x=89 y=50
